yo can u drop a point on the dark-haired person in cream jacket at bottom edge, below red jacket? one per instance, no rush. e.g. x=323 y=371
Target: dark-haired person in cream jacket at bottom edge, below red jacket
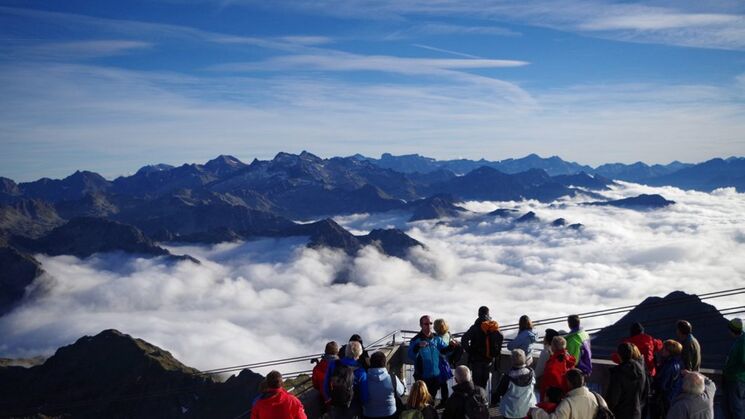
x=579 y=403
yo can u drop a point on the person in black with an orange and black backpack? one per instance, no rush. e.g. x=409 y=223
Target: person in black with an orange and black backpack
x=480 y=345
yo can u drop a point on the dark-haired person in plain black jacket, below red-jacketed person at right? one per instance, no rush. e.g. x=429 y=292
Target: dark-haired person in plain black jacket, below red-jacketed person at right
x=627 y=383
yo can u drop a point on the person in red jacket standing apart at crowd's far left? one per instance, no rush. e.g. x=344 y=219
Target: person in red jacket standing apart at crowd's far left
x=276 y=403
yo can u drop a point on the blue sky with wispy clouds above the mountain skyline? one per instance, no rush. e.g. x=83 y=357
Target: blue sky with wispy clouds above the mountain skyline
x=110 y=86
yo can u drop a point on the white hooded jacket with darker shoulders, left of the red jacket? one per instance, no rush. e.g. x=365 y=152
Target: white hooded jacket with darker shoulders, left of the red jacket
x=516 y=389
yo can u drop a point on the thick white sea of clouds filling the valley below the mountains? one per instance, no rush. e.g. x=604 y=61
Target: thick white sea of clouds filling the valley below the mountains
x=273 y=298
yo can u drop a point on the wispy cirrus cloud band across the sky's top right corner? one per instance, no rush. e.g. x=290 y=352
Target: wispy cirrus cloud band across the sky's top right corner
x=673 y=23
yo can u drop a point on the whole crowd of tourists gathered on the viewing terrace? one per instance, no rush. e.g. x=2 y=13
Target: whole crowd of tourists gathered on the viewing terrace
x=652 y=379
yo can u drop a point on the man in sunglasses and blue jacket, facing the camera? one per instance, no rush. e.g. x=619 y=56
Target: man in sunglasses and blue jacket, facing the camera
x=425 y=349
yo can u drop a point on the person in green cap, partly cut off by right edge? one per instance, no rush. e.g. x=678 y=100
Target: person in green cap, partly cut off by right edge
x=734 y=373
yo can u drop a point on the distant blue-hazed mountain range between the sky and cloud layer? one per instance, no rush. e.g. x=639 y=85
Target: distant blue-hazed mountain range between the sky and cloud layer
x=226 y=199
